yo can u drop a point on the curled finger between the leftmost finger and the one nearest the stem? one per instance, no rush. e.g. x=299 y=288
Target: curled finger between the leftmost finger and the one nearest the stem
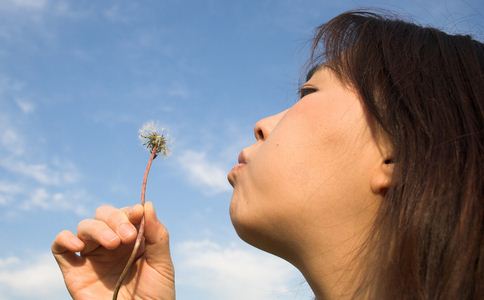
x=90 y=230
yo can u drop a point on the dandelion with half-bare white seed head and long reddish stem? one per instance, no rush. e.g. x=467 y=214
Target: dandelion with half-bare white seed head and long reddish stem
x=154 y=139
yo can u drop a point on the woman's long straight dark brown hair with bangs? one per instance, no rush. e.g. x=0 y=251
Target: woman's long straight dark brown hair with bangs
x=424 y=90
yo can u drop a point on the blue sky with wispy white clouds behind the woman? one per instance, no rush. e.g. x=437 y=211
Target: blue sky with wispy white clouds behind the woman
x=79 y=78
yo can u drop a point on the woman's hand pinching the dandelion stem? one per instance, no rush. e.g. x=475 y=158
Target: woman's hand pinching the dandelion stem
x=105 y=244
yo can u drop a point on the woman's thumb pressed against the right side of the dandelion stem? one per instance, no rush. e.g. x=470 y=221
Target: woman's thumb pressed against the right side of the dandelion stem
x=157 y=248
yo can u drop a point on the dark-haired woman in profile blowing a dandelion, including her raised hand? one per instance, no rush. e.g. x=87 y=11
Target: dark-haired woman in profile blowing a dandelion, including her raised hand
x=371 y=184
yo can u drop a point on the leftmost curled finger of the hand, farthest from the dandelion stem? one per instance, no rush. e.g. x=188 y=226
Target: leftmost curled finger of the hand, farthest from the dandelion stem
x=64 y=248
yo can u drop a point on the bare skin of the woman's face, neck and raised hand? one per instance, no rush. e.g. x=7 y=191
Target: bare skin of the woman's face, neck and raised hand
x=307 y=191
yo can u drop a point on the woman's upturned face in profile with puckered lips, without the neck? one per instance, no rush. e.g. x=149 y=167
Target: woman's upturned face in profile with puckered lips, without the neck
x=307 y=179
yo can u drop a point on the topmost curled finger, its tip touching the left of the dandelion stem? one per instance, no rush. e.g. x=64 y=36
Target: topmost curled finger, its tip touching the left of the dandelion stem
x=118 y=220
